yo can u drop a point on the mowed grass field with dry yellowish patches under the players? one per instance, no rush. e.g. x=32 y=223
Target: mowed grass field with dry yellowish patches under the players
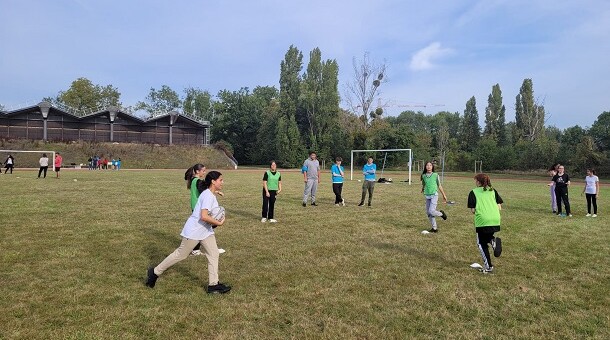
x=74 y=254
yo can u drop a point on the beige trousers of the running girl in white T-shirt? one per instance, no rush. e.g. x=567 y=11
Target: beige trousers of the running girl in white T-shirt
x=182 y=252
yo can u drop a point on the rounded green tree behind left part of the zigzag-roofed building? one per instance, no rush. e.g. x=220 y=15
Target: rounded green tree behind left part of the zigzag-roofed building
x=84 y=96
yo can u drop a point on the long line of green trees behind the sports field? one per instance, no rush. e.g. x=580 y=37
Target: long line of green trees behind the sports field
x=304 y=114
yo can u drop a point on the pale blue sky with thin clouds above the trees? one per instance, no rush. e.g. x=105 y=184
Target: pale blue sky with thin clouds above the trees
x=437 y=52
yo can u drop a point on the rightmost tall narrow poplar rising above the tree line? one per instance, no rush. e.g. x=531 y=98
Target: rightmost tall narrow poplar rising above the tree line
x=529 y=115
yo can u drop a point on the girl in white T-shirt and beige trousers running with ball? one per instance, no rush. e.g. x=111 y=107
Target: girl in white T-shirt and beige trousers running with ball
x=199 y=228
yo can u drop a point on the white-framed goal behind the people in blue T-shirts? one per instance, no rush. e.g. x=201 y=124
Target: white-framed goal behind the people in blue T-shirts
x=395 y=163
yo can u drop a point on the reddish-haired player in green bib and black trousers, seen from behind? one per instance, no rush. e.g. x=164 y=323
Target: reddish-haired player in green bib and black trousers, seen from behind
x=485 y=203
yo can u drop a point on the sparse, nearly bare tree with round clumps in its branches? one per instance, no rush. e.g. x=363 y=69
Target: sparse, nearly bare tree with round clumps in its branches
x=364 y=88
